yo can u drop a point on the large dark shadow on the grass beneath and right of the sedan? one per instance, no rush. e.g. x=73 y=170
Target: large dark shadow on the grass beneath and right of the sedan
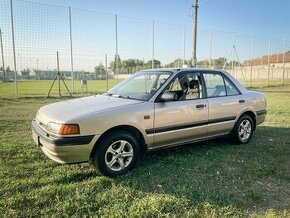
x=251 y=177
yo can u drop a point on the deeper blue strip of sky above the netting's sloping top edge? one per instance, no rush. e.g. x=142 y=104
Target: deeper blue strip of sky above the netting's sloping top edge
x=266 y=18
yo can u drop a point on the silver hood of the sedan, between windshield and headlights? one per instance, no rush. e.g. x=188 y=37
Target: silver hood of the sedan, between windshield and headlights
x=65 y=111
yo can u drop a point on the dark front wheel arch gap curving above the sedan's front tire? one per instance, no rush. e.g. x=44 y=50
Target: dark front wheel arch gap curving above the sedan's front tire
x=128 y=128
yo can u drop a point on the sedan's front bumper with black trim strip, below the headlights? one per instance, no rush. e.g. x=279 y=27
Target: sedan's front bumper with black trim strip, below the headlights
x=63 y=149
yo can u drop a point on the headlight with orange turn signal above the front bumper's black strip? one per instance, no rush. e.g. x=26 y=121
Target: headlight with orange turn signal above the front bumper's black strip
x=63 y=129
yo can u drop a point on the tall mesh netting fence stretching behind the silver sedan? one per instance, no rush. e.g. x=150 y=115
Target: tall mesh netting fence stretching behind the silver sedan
x=97 y=50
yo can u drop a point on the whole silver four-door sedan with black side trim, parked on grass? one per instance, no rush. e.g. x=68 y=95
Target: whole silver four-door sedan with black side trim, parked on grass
x=152 y=109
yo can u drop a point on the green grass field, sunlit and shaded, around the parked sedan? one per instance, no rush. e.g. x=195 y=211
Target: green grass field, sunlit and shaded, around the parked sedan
x=207 y=179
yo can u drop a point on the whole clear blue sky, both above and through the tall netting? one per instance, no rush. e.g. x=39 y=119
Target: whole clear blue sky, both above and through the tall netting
x=41 y=30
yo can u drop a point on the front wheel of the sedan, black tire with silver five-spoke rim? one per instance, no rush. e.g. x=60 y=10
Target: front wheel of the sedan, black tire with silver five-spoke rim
x=116 y=154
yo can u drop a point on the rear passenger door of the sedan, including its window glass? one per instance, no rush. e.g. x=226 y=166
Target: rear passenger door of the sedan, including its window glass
x=223 y=102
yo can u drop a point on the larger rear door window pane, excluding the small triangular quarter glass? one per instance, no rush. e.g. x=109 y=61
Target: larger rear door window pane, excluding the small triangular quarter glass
x=215 y=85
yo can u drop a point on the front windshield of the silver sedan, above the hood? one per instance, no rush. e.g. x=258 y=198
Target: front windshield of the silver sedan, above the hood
x=141 y=85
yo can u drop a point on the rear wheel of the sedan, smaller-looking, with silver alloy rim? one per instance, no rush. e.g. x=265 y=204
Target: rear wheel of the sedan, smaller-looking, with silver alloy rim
x=243 y=130
